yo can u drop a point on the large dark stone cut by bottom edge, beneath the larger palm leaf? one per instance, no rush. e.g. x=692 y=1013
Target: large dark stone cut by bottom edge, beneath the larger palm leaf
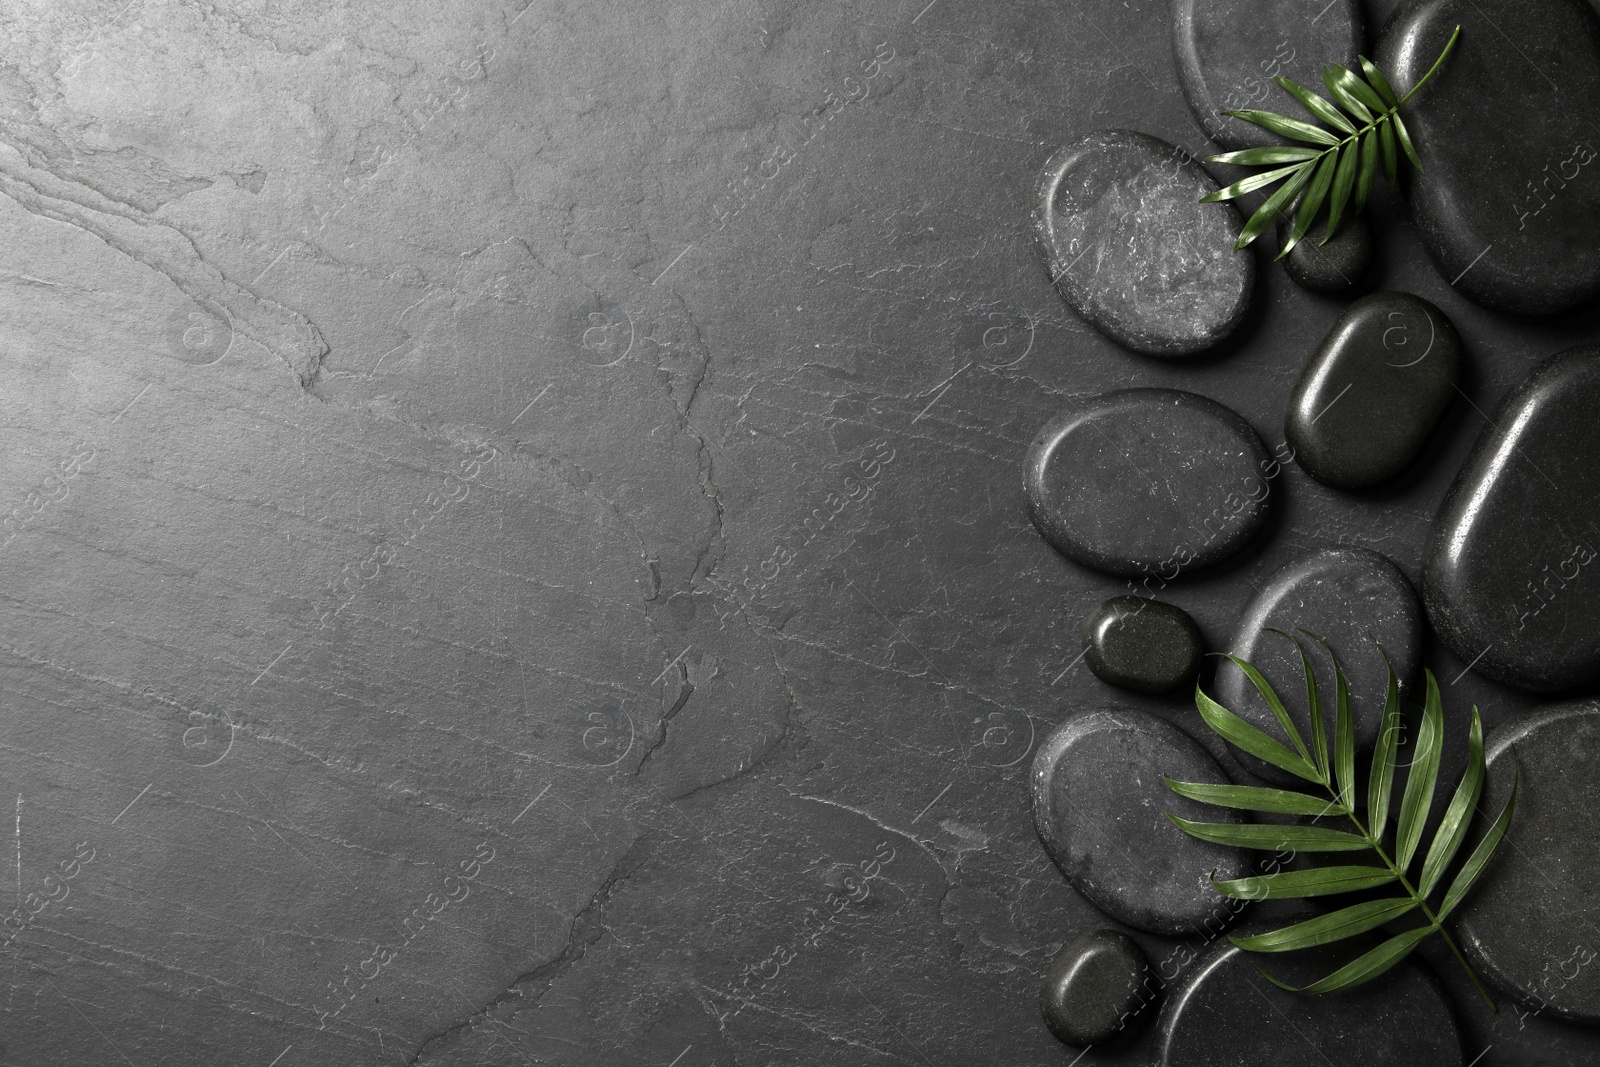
x=1223 y=1013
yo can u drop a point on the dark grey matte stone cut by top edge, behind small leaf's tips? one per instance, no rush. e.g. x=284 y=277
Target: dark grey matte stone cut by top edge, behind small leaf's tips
x=1230 y=52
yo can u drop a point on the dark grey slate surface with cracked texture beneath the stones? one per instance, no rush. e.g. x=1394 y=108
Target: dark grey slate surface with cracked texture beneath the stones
x=682 y=278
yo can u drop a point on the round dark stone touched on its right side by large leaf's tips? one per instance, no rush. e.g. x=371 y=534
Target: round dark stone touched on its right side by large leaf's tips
x=1100 y=809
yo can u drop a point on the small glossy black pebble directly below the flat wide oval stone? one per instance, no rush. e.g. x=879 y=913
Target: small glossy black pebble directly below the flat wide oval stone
x=1143 y=645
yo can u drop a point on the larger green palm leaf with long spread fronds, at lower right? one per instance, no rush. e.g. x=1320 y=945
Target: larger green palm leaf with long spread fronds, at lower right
x=1415 y=871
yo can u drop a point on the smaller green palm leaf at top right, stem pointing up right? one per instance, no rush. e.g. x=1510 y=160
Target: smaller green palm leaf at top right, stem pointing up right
x=1332 y=166
